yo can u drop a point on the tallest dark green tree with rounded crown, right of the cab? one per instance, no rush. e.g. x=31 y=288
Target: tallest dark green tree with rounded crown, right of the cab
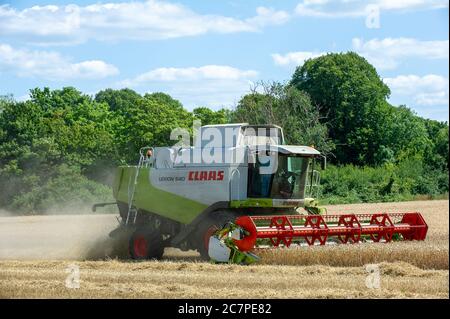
x=351 y=97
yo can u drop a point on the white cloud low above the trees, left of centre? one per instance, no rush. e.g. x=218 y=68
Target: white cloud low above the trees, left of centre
x=210 y=85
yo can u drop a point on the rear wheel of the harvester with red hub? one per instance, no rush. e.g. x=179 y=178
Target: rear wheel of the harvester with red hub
x=146 y=244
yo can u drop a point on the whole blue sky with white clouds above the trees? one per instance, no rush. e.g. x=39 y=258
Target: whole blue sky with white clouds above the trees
x=209 y=53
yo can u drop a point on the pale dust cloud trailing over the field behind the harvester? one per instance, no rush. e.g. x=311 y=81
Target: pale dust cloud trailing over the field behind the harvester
x=49 y=237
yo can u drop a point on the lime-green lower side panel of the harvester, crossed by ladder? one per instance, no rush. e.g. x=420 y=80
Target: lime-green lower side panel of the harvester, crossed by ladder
x=152 y=199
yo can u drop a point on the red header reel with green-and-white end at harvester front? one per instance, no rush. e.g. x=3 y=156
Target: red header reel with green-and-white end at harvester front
x=236 y=241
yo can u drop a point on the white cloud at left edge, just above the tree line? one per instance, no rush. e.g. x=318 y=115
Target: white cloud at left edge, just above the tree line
x=50 y=65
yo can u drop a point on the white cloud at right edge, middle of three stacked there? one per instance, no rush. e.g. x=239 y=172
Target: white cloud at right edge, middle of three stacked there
x=388 y=53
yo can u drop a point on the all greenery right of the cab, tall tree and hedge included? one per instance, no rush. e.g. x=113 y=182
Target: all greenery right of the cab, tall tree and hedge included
x=397 y=154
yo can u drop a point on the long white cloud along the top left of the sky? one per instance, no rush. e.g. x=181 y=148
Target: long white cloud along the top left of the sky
x=152 y=19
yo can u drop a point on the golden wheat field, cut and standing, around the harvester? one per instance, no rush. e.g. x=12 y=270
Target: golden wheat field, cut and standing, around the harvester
x=38 y=255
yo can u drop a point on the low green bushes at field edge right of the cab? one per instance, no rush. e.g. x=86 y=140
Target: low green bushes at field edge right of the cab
x=405 y=181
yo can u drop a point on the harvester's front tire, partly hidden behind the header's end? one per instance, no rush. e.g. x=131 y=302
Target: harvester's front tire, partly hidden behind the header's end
x=208 y=226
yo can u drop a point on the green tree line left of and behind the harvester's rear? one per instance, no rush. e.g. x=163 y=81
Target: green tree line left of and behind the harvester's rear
x=56 y=147
